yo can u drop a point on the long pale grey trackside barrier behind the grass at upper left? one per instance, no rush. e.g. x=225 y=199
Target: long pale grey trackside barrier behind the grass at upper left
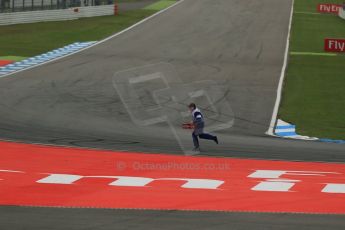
x=55 y=15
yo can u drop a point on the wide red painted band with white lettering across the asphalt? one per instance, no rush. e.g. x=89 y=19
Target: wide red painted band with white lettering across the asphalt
x=25 y=171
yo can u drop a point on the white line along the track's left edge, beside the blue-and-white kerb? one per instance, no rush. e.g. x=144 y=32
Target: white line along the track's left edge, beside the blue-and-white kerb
x=102 y=41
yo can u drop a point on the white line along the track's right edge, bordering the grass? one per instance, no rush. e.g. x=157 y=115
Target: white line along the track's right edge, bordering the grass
x=270 y=130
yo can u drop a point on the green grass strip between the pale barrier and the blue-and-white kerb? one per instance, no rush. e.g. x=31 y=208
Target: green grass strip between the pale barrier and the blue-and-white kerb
x=36 y=38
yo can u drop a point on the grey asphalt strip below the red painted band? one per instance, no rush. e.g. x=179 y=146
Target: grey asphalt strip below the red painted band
x=75 y=219
